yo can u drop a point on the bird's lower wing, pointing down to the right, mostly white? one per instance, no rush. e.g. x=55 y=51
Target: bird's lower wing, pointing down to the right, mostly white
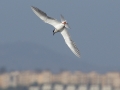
x=70 y=43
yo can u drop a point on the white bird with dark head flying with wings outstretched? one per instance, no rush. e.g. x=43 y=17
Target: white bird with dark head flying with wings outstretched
x=59 y=27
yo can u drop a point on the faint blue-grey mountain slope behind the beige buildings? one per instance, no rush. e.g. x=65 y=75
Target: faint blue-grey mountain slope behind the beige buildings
x=25 y=55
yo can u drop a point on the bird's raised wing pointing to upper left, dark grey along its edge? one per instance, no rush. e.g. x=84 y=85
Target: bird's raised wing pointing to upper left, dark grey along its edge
x=42 y=15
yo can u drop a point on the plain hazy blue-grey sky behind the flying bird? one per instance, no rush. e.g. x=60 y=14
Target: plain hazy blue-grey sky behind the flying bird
x=95 y=27
